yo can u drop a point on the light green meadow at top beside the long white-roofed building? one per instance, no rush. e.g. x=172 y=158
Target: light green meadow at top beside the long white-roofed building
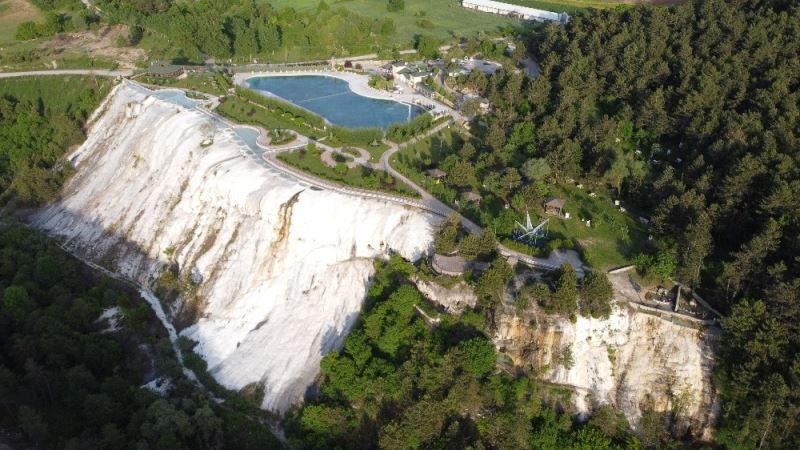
x=449 y=18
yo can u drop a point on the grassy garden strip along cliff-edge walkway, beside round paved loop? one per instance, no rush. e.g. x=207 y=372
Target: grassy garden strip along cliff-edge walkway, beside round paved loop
x=360 y=177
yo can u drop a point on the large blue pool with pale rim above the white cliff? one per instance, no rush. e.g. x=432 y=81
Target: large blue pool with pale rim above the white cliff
x=332 y=99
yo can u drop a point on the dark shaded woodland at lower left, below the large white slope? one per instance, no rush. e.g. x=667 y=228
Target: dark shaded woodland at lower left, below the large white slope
x=69 y=380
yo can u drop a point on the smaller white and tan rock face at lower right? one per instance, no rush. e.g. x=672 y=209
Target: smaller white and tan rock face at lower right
x=632 y=360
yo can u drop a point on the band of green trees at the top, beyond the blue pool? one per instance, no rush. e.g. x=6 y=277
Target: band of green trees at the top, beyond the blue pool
x=246 y=30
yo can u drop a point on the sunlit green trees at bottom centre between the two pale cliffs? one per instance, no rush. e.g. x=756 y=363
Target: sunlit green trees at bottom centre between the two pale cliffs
x=401 y=382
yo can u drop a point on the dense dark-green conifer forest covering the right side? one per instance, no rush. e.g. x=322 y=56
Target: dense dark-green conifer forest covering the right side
x=691 y=115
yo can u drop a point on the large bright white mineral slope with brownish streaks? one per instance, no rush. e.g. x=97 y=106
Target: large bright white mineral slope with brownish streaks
x=280 y=270
